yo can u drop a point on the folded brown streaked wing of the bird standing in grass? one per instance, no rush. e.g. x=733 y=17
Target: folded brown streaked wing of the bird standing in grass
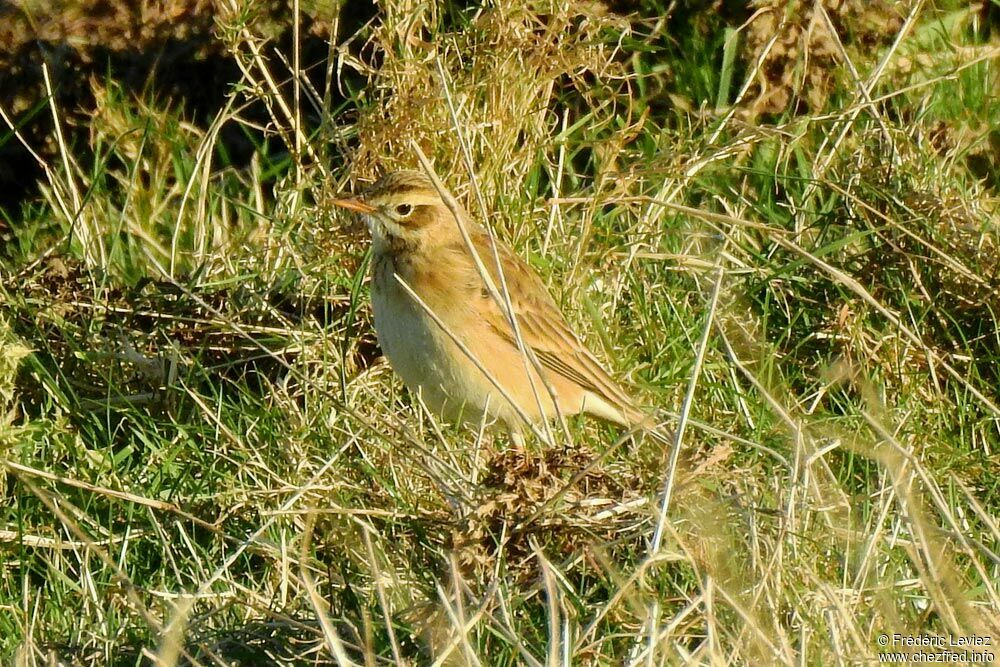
x=543 y=327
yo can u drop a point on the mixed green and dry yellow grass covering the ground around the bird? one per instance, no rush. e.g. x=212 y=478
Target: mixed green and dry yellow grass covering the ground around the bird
x=784 y=239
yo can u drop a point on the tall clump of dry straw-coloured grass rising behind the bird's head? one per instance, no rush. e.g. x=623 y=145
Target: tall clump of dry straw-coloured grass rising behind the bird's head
x=502 y=73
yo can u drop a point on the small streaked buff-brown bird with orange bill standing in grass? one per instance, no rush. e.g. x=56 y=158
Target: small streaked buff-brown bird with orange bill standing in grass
x=476 y=334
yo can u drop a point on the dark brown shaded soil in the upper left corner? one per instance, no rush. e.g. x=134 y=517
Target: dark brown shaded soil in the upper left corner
x=173 y=50
